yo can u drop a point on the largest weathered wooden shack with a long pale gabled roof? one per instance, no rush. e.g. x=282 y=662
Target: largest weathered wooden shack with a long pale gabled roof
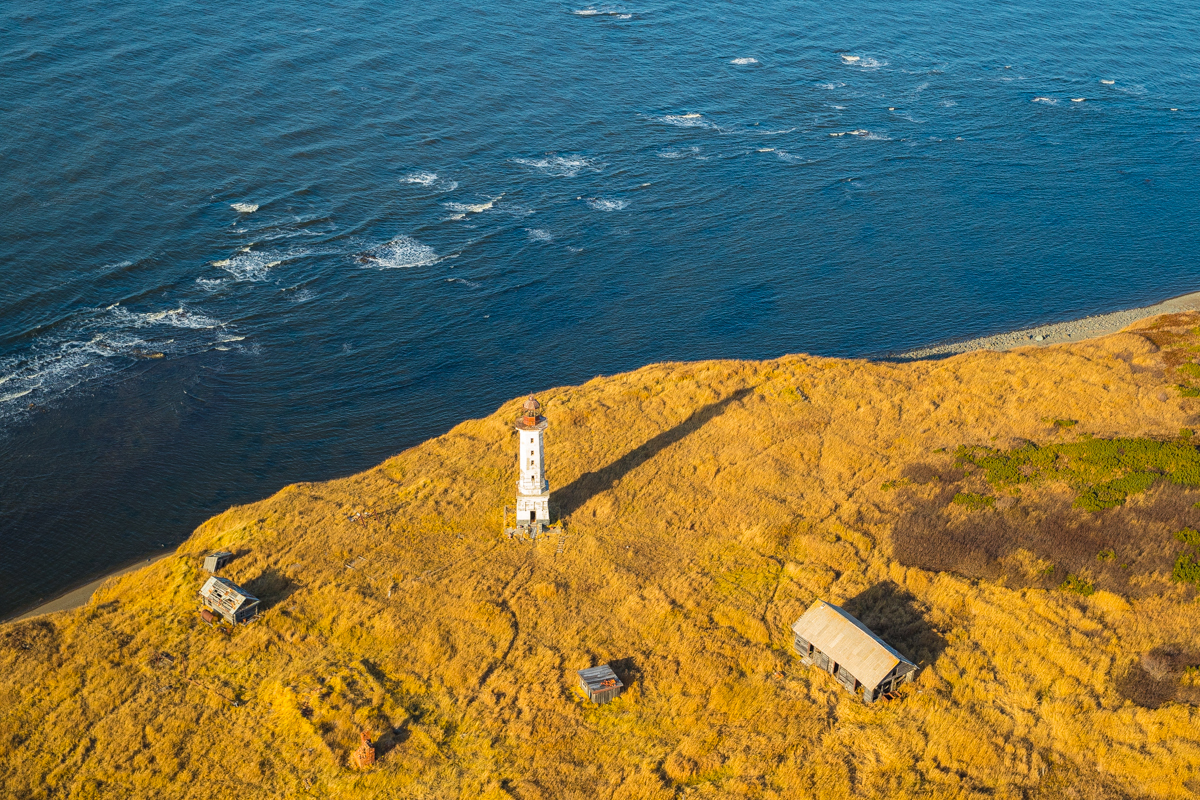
x=829 y=639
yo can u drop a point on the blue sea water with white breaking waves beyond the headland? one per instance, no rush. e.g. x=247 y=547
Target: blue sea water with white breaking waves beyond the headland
x=248 y=245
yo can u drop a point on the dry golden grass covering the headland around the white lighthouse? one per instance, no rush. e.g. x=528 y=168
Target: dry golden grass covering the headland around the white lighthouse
x=706 y=507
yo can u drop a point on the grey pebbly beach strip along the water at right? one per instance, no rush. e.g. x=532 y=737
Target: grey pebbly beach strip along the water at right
x=1075 y=330
